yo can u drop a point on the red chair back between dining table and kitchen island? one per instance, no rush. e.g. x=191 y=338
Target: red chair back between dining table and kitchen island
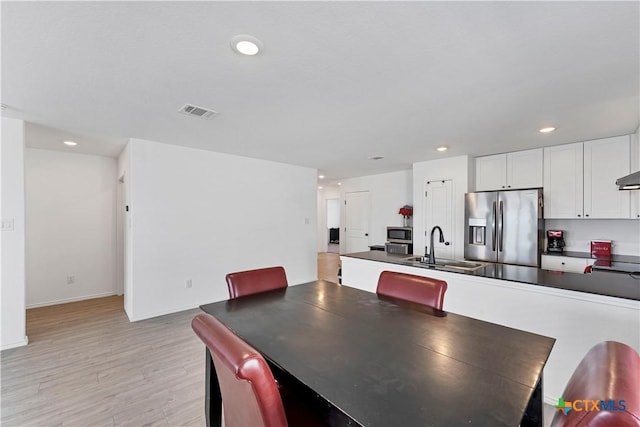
x=423 y=290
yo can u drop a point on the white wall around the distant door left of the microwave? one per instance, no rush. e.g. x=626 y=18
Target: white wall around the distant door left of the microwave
x=388 y=192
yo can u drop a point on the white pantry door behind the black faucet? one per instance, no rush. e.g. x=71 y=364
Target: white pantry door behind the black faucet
x=439 y=211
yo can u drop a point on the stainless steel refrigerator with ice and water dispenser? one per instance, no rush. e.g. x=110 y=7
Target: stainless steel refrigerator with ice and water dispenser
x=504 y=226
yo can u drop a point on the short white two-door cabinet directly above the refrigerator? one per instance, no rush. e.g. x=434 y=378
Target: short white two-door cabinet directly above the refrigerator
x=520 y=169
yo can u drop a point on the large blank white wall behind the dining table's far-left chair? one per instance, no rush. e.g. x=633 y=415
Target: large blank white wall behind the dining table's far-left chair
x=198 y=215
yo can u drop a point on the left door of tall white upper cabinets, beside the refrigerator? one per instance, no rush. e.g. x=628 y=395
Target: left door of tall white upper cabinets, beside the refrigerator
x=563 y=181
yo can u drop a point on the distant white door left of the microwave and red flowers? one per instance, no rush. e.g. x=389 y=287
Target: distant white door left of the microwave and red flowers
x=356 y=229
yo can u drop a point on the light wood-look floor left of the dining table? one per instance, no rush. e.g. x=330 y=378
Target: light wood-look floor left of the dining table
x=87 y=365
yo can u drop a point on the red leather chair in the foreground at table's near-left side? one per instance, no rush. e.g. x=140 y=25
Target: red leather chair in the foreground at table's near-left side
x=249 y=392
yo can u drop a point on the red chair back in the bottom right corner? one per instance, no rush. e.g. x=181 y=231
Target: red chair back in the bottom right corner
x=610 y=371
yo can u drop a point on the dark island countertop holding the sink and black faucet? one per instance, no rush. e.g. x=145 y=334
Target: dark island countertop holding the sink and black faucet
x=620 y=285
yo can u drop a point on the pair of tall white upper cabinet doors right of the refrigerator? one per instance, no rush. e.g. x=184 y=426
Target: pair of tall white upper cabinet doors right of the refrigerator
x=579 y=179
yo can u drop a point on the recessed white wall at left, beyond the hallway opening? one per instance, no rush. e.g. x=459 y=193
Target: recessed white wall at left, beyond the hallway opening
x=71 y=228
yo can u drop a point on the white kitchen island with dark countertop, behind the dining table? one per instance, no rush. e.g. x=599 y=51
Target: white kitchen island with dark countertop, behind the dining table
x=579 y=310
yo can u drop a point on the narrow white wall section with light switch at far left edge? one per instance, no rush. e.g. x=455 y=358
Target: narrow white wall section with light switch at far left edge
x=12 y=298
